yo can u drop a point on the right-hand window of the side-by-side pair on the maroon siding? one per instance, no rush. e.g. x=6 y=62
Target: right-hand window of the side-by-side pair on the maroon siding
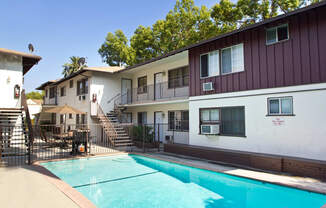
x=232 y=59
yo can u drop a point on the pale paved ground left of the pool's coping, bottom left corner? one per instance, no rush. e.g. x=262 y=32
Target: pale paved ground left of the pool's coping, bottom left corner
x=22 y=187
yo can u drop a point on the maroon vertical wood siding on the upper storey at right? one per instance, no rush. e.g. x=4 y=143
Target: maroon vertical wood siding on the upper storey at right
x=299 y=60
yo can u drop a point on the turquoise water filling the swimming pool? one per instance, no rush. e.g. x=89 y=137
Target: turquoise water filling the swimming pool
x=136 y=181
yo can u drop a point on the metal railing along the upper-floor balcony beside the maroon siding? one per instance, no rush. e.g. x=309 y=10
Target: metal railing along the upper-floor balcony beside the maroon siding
x=164 y=91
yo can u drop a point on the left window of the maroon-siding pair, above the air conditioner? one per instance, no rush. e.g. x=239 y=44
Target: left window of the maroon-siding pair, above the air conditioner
x=209 y=64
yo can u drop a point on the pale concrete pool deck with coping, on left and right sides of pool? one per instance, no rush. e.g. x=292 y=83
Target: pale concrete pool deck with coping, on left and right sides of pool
x=34 y=186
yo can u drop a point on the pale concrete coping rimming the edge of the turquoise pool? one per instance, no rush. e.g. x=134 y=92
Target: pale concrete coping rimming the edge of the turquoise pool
x=84 y=202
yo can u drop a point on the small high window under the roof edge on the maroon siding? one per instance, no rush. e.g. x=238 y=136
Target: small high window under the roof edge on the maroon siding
x=277 y=34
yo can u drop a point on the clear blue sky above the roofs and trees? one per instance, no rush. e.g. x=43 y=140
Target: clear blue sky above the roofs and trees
x=59 y=29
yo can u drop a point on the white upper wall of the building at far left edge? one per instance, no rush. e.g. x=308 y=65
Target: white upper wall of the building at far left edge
x=10 y=75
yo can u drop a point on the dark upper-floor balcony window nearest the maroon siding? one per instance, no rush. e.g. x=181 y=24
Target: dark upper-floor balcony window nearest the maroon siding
x=178 y=77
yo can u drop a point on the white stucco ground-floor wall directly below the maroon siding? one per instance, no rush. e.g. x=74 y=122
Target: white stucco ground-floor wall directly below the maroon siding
x=302 y=135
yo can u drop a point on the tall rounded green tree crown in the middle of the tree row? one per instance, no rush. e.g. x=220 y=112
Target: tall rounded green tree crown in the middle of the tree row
x=182 y=26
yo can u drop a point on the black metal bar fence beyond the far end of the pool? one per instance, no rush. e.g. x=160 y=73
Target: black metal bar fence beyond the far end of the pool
x=66 y=141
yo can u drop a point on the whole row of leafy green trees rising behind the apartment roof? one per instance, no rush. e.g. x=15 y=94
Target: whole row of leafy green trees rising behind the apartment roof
x=186 y=24
